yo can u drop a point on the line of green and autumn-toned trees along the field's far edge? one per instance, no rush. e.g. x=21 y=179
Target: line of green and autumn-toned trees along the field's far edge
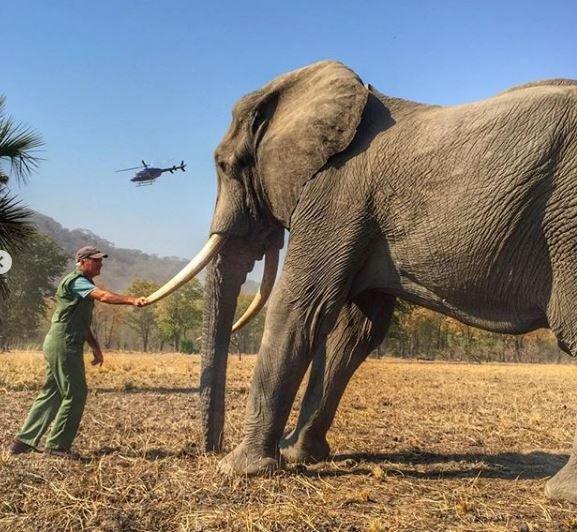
x=175 y=323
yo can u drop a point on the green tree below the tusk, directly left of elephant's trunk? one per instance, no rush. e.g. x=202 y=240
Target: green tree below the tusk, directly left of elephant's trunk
x=180 y=313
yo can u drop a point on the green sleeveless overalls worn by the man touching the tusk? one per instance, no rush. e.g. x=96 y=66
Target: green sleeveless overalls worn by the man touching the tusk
x=63 y=395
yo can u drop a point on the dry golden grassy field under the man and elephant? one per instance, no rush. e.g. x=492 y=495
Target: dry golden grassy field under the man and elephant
x=418 y=446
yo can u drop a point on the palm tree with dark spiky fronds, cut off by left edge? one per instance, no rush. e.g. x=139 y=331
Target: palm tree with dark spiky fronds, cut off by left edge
x=17 y=145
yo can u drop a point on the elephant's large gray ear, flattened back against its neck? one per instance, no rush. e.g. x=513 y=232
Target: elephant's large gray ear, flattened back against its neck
x=304 y=118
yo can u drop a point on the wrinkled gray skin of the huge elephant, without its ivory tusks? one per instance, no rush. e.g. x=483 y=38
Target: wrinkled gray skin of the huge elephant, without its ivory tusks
x=468 y=210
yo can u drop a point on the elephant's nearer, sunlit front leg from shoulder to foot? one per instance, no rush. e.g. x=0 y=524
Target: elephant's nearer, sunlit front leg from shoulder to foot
x=317 y=276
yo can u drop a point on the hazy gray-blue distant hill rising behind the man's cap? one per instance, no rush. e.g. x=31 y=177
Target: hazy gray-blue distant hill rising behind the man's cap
x=122 y=265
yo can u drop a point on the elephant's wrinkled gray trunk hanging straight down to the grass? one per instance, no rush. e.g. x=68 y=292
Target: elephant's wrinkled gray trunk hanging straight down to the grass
x=225 y=276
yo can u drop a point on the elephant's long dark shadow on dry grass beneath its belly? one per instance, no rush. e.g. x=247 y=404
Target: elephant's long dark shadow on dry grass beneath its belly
x=425 y=465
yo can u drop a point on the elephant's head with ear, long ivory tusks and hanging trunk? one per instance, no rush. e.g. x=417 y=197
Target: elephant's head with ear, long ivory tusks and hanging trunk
x=280 y=137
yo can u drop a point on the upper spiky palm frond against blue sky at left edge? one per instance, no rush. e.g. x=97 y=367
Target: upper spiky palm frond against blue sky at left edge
x=17 y=144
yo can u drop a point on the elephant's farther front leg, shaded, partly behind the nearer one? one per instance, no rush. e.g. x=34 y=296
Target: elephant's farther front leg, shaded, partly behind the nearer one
x=361 y=326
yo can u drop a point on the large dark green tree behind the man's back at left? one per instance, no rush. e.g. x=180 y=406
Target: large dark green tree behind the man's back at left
x=30 y=281
